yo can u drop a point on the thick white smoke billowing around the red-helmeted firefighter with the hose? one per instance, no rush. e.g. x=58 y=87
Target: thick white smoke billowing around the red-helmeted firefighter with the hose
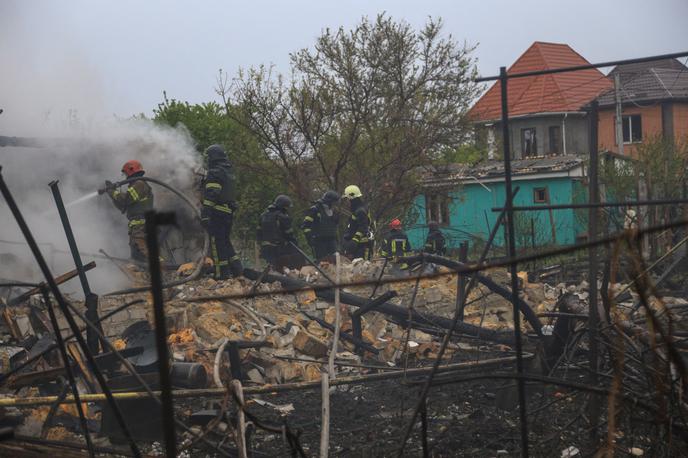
x=81 y=166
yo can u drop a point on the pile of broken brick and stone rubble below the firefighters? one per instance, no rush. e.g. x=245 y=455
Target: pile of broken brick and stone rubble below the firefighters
x=261 y=334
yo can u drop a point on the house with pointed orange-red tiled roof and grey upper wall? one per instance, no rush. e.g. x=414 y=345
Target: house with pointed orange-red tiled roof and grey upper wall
x=546 y=112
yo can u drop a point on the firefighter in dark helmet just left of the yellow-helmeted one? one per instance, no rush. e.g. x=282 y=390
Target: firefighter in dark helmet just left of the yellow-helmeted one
x=320 y=225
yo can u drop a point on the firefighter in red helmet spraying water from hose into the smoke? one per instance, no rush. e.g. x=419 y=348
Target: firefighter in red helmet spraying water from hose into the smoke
x=134 y=202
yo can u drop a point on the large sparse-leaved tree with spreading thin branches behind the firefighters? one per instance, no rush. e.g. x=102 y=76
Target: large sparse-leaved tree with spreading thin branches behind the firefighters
x=370 y=106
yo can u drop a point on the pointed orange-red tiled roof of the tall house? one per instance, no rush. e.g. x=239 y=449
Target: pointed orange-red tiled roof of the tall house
x=558 y=92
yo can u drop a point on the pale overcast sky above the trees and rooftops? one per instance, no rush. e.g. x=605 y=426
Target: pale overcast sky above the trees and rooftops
x=117 y=56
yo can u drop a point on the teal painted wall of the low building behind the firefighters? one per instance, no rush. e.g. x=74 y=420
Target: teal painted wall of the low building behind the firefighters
x=470 y=212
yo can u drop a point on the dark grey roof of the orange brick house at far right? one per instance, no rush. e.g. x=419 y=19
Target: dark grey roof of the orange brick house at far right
x=651 y=81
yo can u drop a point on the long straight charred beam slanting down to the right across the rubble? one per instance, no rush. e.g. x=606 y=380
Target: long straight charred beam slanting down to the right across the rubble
x=401 y=314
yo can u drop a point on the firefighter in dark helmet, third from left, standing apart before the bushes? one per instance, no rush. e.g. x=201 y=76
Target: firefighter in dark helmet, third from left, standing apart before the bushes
x=275 y=233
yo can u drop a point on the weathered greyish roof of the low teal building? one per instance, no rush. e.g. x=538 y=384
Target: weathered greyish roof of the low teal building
x=452 y=174
